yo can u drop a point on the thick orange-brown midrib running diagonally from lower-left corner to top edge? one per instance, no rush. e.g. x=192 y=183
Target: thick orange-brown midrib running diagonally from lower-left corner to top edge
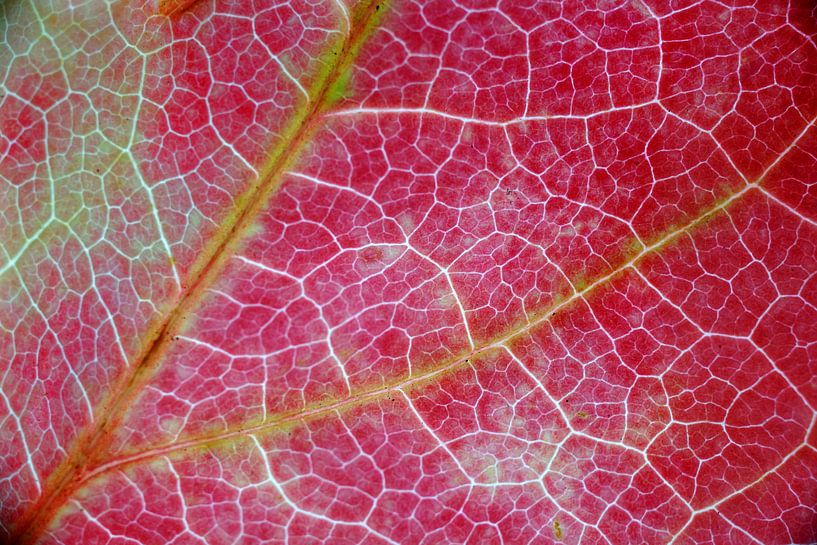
x=89 y=446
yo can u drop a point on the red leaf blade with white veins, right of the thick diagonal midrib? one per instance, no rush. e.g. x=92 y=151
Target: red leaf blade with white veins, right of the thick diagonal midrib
x=443 y=218
